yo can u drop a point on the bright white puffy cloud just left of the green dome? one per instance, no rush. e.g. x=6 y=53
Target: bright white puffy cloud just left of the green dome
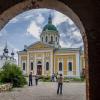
x=34 y=30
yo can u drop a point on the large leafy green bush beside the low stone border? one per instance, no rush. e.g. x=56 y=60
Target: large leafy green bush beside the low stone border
x=12 y=74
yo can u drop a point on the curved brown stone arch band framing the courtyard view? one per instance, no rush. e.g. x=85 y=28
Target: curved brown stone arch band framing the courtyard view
x=59 y=6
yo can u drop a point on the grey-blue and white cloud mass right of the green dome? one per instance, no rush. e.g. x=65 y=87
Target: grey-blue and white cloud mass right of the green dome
x=70 y=35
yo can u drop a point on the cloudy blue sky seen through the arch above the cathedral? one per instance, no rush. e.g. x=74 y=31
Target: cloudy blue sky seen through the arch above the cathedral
x=25 y=29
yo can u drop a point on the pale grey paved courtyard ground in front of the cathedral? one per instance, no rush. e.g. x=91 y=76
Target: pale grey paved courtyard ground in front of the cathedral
x=47 y=91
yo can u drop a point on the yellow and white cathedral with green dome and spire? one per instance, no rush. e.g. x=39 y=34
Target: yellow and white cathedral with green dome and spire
x=46 y=56
